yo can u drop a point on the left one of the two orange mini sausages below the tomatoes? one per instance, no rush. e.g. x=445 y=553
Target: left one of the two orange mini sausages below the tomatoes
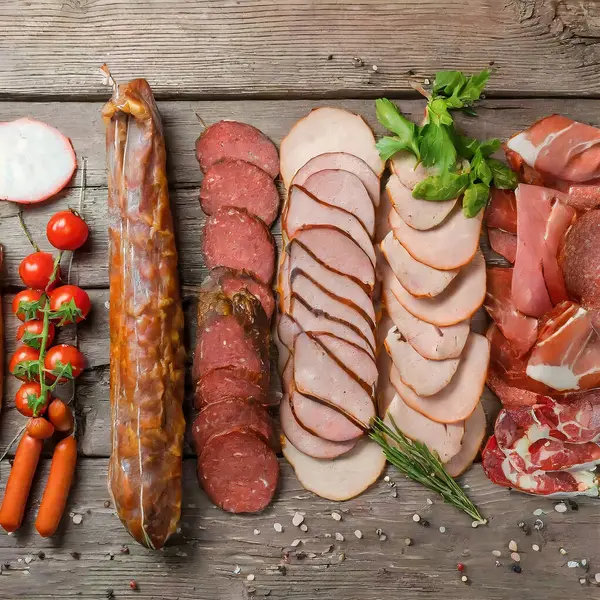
x=19 y=482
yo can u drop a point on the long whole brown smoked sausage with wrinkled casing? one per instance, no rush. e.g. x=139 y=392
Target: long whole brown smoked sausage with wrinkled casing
x=146 y=321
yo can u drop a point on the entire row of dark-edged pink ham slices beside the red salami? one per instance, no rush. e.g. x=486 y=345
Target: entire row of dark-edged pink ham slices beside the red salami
x=326 y=328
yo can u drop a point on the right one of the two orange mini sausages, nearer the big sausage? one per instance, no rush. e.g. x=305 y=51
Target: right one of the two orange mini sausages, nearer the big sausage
x=58 y=486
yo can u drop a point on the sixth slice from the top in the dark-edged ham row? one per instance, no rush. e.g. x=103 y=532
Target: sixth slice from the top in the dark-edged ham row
x=298 y=256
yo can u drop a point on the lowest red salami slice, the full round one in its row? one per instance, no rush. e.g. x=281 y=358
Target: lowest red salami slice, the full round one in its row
x=239 y=472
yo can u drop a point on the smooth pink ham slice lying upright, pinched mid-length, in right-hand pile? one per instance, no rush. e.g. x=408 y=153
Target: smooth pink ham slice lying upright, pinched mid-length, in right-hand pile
x=543 y=220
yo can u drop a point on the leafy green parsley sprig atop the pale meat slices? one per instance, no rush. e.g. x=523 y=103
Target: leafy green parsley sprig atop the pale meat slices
x=464 y=165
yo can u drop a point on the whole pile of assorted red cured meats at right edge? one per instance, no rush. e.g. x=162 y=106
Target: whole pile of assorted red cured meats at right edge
x=545 y=349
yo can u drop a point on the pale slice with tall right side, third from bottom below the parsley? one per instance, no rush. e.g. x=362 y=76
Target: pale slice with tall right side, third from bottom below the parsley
x=457 y=401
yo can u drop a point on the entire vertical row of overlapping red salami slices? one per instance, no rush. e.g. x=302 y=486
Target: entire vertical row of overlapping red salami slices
x=234 y=433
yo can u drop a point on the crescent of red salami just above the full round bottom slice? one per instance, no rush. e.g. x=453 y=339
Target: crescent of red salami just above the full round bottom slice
x=232 y=415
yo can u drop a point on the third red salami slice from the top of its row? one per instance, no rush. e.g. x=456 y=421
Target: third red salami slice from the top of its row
x=234 y=238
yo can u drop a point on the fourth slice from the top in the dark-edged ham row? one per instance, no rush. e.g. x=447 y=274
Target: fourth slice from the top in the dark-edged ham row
x=304 y=209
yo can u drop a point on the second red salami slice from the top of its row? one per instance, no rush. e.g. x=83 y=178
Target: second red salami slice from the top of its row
x=240 y=184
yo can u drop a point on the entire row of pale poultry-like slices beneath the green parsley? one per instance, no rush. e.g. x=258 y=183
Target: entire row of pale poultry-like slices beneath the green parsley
x=433 y=281
